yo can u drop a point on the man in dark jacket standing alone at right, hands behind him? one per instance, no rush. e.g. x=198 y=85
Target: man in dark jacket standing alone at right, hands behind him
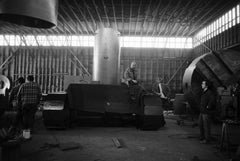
x=207 y=107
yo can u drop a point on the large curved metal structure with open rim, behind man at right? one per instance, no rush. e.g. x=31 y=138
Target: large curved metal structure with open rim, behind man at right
x=222 y=68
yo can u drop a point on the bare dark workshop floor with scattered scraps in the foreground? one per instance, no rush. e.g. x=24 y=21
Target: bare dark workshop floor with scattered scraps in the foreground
x=170 y=143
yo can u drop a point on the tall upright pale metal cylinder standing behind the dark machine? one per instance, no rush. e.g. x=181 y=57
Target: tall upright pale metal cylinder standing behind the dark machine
x=106 y=58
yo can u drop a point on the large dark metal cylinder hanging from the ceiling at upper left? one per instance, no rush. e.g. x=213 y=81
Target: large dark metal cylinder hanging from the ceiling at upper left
x=31 y=13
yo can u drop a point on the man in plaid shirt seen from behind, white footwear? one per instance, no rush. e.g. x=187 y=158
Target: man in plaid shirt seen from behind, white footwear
x=29 y=98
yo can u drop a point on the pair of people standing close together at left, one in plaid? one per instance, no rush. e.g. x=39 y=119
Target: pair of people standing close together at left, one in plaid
x=25 y=98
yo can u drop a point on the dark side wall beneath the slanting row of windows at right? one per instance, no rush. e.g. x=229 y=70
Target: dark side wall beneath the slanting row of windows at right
x=226 y=39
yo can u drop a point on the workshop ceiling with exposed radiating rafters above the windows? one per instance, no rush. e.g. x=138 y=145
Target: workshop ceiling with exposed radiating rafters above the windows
x=131 y=17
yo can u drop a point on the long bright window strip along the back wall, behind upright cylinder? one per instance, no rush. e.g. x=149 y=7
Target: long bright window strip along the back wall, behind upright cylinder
x=74 y=40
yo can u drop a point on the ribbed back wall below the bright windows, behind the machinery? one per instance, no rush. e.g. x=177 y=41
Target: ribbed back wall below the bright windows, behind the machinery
x=50 y=65
